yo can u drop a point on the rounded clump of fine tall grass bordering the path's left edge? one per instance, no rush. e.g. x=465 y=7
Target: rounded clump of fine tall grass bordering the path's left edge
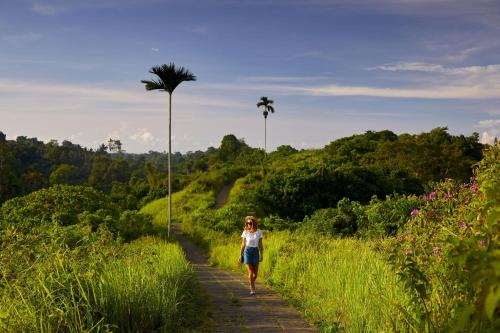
x=150 y=289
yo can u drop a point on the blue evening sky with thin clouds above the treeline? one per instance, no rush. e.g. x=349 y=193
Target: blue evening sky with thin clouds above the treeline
x=71 y=70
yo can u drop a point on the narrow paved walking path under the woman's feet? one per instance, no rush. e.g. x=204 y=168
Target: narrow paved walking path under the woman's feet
x=234 y=310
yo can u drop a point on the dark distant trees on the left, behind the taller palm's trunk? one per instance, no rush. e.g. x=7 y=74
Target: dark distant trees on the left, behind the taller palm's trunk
x=27 y=165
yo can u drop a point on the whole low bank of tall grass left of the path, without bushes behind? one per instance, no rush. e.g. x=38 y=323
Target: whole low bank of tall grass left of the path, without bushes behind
x=144 y=286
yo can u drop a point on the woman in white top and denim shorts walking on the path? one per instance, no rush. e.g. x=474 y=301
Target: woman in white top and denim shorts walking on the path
x=251 y=250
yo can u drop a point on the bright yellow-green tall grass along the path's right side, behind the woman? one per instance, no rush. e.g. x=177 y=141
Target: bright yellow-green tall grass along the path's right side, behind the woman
x=339 y=284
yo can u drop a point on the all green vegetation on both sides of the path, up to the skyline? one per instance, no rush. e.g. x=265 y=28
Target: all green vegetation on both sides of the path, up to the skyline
x=367 y=234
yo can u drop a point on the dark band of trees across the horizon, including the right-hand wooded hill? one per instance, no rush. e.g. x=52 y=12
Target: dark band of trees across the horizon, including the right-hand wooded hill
x=357 y=167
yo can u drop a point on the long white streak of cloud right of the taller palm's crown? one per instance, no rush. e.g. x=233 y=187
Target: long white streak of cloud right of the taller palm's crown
x=472 y=82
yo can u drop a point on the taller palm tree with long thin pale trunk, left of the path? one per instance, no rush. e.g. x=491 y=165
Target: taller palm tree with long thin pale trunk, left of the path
x=169 y=77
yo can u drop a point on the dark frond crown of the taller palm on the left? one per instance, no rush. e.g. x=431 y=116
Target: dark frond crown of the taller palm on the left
x=169 y=77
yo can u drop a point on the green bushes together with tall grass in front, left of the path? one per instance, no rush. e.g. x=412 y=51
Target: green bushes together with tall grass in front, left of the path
x=66 y=266
